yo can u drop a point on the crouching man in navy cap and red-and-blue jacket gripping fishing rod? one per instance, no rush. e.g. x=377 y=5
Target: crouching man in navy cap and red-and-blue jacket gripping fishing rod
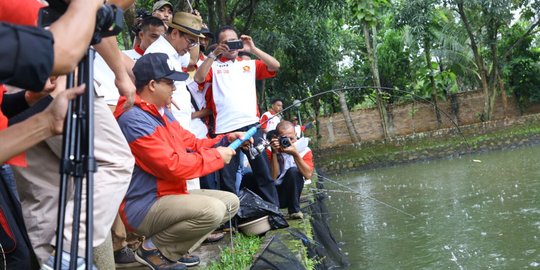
x=157 y=204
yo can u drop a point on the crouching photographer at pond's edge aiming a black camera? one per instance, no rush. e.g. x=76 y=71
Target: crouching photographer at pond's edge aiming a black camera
x=291 y=162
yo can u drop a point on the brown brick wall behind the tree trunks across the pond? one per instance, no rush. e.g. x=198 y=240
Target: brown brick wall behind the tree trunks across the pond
x=414 y=117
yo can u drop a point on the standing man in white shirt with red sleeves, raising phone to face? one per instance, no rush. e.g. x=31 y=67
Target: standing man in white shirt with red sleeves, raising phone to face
x=235 y=98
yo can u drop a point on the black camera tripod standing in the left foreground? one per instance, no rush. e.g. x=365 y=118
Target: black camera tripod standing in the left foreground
x=78 y=163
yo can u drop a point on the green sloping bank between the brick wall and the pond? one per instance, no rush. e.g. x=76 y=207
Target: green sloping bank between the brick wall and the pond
x=443 y=143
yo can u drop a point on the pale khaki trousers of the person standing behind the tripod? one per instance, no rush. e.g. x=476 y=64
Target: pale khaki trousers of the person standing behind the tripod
x=38 y=185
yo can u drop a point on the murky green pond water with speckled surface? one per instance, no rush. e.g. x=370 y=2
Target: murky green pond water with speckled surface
x=475 y=212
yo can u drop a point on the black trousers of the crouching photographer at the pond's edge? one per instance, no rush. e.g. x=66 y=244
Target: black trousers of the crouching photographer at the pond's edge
x=290 y=189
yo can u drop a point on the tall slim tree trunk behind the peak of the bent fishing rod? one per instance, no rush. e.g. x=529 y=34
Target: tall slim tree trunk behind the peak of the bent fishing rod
x=372 y=55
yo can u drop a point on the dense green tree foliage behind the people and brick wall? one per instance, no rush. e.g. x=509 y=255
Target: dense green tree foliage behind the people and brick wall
x=320 y=45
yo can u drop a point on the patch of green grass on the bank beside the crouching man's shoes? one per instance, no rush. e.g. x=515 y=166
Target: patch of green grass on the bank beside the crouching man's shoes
x=241 y=256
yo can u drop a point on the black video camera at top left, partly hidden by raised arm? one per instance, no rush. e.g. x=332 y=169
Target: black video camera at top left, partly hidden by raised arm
x=109 y=19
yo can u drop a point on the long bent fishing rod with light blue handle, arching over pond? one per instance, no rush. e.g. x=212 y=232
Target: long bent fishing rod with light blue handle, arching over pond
x=235 y=144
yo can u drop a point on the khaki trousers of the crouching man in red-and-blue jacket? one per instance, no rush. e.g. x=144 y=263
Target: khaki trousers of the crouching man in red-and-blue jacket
x=178 y=224
